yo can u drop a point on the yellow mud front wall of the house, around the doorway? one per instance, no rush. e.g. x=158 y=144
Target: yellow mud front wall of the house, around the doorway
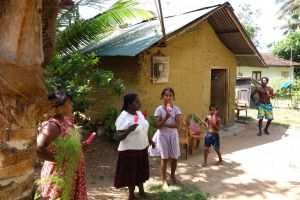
x=192 y=55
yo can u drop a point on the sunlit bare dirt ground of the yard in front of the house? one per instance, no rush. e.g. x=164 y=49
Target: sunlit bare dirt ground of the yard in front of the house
x=266 y=167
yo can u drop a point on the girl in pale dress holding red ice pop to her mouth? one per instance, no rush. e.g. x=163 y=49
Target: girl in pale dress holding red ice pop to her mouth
x=167 y=117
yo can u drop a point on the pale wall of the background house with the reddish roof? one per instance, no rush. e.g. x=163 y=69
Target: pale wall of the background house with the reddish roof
x=271 y=72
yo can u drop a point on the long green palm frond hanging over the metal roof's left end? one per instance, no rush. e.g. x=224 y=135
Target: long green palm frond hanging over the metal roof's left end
x=78 y=33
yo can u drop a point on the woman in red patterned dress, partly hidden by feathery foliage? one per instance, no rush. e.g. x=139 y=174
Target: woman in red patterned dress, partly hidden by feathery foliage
x=49 y=130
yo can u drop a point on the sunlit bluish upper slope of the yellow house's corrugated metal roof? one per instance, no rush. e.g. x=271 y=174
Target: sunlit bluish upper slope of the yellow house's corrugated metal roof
x=134 y=39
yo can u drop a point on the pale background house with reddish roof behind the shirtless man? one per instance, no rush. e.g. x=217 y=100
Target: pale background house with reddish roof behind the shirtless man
x=276 y=68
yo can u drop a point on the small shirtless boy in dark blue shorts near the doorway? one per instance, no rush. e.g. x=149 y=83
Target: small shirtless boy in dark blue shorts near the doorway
x=213 y=123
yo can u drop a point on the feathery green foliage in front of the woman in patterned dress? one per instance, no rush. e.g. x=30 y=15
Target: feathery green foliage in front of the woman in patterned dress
x=68 y=152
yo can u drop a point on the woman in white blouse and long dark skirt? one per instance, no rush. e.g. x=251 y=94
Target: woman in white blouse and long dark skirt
x=133 y=164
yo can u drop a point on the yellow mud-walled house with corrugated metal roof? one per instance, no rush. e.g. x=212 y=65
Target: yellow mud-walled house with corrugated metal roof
x=197 y=57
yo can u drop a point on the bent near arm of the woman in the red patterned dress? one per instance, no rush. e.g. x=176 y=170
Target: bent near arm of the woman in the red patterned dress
x=43 y=141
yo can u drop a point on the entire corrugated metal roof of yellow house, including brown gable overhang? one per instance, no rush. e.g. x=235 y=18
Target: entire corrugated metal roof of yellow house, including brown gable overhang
x=135 y=39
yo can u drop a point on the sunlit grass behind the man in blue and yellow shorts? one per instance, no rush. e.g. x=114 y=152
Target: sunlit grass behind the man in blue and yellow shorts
x=282 y=117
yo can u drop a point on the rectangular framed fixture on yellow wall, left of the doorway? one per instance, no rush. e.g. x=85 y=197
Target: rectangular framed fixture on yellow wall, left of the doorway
x=160 y=69
